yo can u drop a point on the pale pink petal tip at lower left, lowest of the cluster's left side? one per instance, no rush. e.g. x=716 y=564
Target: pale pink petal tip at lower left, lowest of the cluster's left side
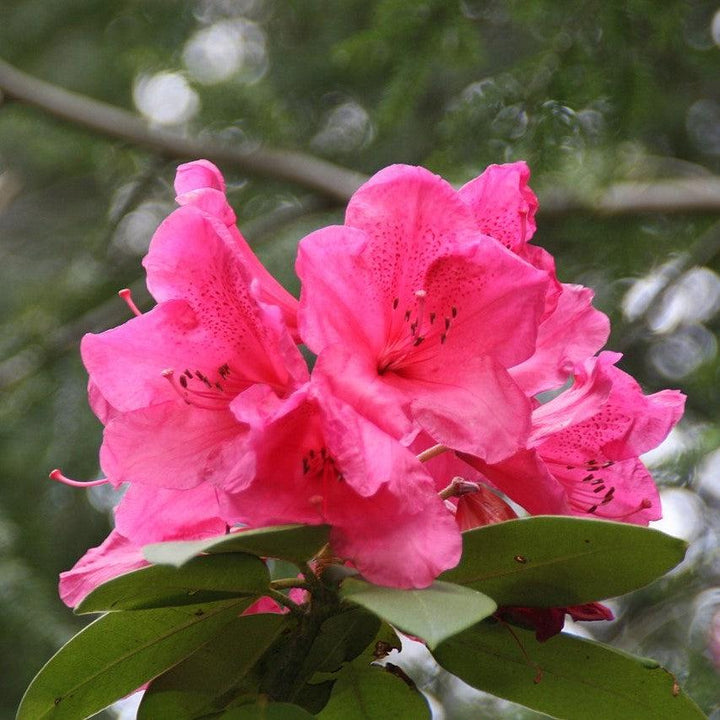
x=116 y=555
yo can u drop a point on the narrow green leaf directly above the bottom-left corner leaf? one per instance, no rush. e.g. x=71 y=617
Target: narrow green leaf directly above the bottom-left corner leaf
x=202 y=579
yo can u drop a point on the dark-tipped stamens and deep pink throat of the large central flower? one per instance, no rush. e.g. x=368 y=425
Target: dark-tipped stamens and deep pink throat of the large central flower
x=415 y=333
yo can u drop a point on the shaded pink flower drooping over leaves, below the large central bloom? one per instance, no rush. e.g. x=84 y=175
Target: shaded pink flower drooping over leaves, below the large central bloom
x=319 y=461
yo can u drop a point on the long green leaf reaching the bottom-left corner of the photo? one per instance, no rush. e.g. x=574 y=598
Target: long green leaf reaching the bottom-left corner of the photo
x=117 y=654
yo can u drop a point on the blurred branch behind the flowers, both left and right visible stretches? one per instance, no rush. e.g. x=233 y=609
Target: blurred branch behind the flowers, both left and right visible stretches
x=333 y=182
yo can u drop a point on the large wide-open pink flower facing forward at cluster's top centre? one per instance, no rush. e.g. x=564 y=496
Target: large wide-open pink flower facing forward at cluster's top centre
x=416 y=315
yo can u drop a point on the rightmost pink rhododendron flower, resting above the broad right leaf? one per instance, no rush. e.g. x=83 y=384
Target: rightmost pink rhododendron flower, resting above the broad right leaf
x=583 y=454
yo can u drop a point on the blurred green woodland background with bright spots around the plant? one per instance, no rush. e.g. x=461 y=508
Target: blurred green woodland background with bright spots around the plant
x=615 y=105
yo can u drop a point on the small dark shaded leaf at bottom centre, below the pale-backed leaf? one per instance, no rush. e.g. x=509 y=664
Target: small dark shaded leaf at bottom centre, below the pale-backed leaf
x=341 y=638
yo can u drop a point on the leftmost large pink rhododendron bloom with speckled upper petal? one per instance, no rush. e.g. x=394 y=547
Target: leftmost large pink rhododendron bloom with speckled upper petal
x=174 y=373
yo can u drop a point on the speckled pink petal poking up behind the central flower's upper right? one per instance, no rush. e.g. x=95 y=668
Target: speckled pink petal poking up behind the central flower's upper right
x=502 y=203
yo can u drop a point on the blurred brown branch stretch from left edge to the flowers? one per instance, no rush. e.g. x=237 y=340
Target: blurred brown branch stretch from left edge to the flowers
x=327 y=179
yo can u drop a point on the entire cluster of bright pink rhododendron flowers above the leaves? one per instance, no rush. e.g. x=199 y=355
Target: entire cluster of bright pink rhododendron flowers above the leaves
x=436 y=326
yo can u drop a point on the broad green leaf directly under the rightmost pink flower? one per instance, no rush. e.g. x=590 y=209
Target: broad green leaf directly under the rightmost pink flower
x=560 y=561
